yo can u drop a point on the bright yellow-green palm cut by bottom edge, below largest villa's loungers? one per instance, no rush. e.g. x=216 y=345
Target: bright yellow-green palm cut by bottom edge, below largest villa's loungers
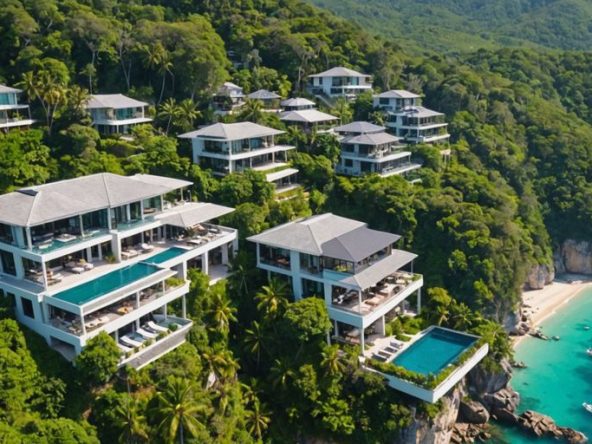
x=177 y=410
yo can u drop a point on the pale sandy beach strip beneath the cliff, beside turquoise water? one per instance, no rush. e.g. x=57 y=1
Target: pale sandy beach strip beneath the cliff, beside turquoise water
x=543 y=303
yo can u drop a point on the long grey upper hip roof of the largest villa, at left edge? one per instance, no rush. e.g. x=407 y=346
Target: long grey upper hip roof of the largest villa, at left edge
x=59 y=200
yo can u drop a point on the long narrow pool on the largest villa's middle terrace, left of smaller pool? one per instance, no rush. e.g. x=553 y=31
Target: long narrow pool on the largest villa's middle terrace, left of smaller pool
x=107 y=283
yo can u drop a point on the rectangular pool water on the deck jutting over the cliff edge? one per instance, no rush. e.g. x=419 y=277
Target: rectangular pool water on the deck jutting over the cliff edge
x=433 y=352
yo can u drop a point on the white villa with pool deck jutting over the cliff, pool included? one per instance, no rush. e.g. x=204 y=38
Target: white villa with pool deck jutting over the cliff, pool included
x=366 y=282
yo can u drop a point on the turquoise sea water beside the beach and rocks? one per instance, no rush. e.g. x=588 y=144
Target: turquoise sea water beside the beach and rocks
x=559 y=374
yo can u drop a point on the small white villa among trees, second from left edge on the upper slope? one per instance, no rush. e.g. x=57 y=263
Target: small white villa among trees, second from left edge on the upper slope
x=116 y=113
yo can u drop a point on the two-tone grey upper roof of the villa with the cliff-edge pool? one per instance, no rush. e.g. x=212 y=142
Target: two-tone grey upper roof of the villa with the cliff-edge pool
x=327 y=235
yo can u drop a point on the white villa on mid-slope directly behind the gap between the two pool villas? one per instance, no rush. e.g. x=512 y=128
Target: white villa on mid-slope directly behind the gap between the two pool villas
x=236 y=147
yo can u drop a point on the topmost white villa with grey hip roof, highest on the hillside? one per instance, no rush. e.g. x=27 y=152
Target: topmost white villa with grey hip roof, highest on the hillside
x=339 y=82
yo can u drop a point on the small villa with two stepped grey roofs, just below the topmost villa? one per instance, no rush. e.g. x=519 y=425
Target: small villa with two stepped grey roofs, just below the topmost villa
x=301 y=113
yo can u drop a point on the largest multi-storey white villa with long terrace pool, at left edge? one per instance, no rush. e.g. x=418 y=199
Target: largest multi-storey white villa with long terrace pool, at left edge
x=107 y=253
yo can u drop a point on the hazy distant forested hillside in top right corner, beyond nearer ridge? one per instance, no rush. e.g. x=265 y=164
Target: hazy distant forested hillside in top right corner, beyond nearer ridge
x=465 y=25
